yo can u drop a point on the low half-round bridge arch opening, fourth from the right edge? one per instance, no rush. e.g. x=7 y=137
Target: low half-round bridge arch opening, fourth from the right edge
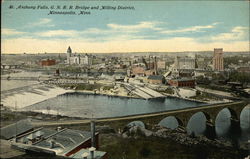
x=171 y=122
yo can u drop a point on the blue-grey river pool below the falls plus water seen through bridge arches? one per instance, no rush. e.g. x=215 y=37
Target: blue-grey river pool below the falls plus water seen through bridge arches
x=97 y=106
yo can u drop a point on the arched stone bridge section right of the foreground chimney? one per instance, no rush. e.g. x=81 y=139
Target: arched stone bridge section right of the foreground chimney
x=184 y=115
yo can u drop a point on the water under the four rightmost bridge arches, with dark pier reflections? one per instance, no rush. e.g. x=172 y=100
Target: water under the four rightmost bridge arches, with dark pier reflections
x=224 y=127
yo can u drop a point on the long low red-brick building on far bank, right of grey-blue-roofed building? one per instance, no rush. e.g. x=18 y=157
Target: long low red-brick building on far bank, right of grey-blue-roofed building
x=184 y=82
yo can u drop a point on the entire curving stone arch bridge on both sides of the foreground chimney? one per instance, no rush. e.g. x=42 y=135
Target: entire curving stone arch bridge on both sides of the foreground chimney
x=152 y=119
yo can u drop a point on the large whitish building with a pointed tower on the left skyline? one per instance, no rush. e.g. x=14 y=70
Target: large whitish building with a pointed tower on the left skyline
x=77 y=58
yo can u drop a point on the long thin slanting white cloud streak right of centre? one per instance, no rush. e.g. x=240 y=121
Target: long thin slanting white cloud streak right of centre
x=198 y=28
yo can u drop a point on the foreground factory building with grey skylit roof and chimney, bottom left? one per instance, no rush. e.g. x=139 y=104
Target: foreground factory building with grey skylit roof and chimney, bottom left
x=60 y=142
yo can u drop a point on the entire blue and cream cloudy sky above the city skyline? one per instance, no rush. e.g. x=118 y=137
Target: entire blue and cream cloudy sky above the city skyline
x=159 y=26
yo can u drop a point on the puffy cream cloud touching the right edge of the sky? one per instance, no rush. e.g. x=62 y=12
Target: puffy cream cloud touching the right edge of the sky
x=237 y=33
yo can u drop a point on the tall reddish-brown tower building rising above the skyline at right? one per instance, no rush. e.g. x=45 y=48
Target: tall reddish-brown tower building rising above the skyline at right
x=218 y=62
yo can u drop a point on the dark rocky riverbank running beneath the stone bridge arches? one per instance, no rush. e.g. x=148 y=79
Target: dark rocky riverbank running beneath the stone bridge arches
x=181 y=137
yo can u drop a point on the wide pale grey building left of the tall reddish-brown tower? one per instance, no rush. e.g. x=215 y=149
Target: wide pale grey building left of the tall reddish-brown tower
x=184 y=63
